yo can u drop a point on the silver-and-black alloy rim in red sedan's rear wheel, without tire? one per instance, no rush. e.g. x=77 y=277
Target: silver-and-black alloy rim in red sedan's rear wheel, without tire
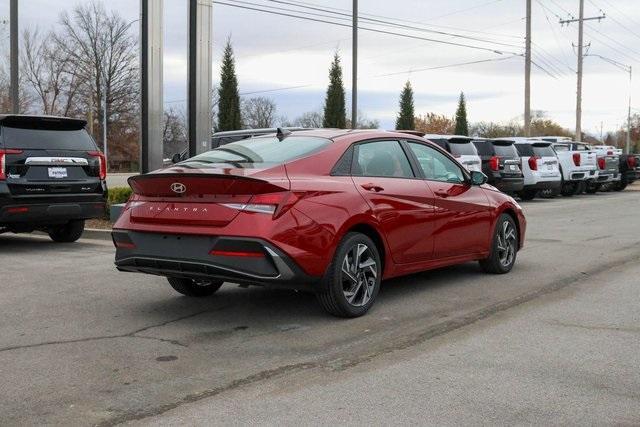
x=359 y=275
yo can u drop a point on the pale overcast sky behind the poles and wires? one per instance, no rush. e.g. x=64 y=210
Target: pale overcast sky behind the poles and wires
x=275 y=52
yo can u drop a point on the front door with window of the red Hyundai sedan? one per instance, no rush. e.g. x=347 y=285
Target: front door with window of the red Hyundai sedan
x=462 y=212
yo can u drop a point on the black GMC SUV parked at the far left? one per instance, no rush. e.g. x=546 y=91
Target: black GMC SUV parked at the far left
x=52 y=176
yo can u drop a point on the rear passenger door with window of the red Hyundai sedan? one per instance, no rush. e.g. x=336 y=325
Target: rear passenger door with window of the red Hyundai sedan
x=400 y=201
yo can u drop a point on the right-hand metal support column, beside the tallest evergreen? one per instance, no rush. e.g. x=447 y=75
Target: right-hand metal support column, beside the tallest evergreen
x=199 y=86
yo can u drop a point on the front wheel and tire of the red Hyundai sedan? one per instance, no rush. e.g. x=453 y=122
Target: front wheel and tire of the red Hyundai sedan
x=504 y=247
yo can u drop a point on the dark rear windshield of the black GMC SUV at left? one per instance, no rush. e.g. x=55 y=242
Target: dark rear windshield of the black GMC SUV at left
x=39 y=139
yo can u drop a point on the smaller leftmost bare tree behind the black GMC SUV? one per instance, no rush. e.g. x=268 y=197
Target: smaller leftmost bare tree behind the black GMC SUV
x=49 y=73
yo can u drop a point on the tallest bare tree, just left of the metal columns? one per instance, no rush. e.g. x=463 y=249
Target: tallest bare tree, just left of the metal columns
x=100 y=46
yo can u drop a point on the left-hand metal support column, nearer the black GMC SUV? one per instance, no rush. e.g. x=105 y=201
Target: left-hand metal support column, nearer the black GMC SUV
x=151 y=23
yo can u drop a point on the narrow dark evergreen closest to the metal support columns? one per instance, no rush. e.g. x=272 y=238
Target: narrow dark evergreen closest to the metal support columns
x=229 y=117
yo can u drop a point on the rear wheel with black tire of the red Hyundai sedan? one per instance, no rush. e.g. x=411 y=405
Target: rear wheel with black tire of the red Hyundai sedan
x=353 y=279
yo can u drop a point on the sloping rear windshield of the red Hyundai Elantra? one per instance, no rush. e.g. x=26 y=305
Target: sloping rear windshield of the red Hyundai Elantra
x=262 y=150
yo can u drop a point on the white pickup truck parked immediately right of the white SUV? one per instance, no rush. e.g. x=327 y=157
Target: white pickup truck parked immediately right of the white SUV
x=578 y=166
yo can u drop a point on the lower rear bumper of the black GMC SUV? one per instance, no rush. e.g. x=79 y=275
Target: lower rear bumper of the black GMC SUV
x=49 y=213
